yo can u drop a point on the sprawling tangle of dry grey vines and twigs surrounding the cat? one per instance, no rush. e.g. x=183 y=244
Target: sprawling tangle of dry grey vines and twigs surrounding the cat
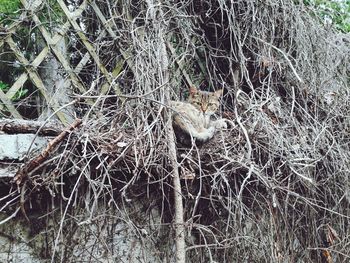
x=273 y=187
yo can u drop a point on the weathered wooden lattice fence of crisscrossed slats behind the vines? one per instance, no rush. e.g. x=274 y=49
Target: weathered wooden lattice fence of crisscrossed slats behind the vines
x=69 y=28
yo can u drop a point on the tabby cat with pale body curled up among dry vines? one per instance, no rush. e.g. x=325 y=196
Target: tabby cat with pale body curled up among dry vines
x=193 y=117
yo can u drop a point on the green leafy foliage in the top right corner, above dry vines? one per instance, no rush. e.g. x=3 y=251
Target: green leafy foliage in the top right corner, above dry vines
x=334 y=11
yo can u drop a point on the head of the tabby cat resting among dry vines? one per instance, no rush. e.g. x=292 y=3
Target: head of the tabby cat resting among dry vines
x=205 y=101
